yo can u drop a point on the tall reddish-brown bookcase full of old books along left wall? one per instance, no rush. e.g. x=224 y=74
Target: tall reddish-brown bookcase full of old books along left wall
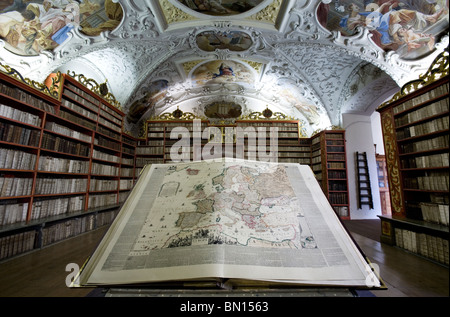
x=65 y=163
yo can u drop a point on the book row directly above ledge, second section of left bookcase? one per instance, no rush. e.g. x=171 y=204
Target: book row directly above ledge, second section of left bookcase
x=43 y=208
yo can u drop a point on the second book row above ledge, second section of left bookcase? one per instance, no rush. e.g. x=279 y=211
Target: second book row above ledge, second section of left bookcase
x=47 y=186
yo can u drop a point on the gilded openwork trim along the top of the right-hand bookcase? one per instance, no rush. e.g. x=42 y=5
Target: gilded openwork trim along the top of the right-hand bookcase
x=438 y=69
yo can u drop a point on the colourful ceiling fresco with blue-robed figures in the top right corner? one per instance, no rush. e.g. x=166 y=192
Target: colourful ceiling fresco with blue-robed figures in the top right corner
x=411 y=28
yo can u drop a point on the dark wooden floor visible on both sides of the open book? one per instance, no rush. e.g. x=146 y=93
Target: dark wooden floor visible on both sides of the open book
x=43 y=273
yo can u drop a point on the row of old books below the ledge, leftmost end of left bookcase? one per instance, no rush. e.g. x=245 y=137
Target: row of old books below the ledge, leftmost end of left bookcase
x=17 y=243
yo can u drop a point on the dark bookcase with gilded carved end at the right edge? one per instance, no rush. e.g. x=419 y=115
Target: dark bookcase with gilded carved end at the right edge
x=415 y=124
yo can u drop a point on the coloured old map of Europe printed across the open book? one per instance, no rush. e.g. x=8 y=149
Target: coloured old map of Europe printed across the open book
x=237 y=204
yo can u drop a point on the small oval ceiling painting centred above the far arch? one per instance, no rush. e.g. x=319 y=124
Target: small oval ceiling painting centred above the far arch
x=235 y=41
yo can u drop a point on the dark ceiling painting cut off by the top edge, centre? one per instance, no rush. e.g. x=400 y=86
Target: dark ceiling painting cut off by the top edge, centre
x=223 y=7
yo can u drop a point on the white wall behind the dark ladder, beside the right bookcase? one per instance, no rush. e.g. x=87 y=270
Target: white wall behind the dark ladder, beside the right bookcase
x=360 y=138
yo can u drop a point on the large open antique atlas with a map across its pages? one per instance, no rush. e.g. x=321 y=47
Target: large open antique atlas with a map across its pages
x=228 y=220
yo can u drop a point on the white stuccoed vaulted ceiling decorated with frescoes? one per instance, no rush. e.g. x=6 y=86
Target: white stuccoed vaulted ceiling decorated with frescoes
x=288 y=55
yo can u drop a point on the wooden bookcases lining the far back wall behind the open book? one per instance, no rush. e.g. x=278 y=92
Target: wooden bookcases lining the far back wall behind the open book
x=325 y=152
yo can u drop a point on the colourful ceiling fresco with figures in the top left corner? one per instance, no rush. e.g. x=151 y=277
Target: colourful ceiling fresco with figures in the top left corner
x=29 y=27
